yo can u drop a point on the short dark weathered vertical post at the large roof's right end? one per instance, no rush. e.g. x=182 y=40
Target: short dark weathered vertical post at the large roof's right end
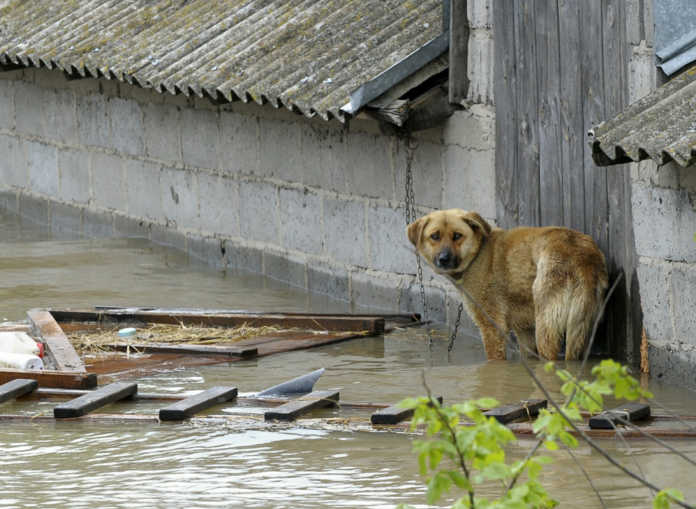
x=458 y=52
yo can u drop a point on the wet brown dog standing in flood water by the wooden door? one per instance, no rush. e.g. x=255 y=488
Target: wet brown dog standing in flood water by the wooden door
x=549 y=280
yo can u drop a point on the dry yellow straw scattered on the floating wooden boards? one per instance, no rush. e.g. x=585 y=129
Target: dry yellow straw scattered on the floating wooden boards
x=93 y=343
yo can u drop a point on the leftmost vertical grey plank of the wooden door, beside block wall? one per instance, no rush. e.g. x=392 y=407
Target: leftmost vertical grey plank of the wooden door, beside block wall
x=506 y=117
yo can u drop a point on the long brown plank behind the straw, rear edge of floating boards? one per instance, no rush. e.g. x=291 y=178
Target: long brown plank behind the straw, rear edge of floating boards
x=371 y=324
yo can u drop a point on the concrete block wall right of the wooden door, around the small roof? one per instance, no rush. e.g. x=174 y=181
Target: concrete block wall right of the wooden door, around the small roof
x=664 y=221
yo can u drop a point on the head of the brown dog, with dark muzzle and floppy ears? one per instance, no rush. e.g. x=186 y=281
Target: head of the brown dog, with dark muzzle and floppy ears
x=449 y=239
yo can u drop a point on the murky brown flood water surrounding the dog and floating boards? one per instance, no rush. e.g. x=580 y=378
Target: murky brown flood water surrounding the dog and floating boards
x=207 y=465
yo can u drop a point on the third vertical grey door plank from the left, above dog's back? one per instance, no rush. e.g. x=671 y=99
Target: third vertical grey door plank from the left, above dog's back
x=549 y=123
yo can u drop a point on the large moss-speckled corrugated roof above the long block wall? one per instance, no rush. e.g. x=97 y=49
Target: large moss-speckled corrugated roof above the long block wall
x=306 y=55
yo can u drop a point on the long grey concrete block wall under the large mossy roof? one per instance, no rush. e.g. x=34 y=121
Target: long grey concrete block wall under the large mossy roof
x=318 y=205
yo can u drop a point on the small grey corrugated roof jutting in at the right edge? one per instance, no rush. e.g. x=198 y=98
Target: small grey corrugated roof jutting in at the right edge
x=661 y=126
